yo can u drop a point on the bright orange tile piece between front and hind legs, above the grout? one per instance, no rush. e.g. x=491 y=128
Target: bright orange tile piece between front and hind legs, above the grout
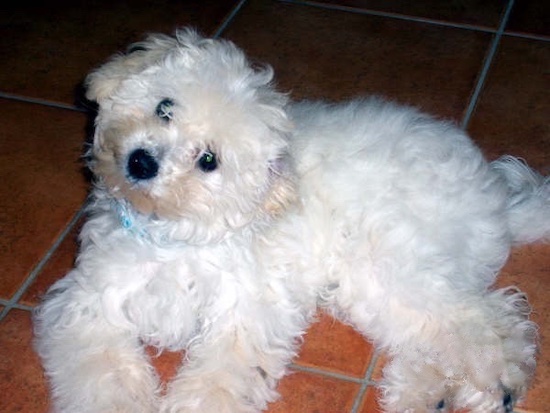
x=334 y=346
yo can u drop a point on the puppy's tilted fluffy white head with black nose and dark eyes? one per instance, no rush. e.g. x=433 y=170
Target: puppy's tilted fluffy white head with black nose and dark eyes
x=189 y=132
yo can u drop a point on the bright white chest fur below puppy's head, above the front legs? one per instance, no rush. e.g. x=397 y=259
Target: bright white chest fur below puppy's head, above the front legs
x=172 y=297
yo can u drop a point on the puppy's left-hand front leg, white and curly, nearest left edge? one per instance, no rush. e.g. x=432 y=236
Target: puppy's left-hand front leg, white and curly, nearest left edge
x=92 y=366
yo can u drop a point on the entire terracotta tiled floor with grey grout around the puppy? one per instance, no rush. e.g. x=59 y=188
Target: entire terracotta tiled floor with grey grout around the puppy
x=484 y=64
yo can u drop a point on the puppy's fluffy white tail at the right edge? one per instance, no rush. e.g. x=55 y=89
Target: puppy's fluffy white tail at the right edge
x=528 y=203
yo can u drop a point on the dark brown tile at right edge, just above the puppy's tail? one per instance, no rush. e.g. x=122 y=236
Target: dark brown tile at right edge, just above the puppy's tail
x=512 y=115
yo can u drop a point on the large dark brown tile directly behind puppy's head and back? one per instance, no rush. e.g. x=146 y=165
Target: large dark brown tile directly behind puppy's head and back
x=321 y=53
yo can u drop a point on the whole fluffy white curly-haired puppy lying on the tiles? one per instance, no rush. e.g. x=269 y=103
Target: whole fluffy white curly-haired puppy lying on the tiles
x=223 y=216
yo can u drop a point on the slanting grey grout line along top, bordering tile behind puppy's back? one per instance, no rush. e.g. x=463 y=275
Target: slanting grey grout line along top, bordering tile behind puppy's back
x=392 y=15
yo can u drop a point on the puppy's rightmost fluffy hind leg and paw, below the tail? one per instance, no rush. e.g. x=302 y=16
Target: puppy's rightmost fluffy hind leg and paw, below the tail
x=498 y=362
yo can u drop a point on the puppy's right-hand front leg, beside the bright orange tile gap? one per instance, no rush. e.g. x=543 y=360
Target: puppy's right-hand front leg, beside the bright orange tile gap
x=234 y=368
